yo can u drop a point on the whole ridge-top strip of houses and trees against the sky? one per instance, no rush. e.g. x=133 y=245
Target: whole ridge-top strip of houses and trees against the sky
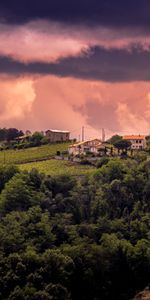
x=13 y=138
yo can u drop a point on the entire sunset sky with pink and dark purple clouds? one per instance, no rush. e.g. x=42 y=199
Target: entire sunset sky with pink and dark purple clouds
x=72 y=63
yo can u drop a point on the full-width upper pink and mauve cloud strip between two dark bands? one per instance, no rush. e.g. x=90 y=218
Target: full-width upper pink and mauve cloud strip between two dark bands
x=50 y=41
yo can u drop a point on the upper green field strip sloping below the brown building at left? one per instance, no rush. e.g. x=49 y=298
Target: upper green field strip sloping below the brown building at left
x=31 y=154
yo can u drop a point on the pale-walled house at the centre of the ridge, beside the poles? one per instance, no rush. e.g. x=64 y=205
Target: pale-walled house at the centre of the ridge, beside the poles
x=85 y=147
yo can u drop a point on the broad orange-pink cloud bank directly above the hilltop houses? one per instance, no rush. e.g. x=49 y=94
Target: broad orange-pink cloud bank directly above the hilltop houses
x=68 y=103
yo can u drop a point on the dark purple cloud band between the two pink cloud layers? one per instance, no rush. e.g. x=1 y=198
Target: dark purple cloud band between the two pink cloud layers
x=112 y=65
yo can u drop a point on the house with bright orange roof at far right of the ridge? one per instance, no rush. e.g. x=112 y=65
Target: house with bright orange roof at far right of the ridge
x=138 y=142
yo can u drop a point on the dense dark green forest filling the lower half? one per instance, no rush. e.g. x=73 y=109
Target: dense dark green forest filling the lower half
x=68 y=239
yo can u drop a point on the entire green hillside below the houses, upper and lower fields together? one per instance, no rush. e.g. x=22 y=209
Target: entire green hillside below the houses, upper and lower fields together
x=26 y=160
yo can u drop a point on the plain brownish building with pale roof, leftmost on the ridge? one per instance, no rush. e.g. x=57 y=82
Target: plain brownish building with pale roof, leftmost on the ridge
x=57 y=135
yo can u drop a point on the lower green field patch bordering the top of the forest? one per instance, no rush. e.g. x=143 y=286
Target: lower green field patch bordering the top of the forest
x=58 y=167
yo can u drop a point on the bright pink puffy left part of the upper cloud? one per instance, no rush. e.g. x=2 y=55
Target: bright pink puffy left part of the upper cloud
x=38 y=41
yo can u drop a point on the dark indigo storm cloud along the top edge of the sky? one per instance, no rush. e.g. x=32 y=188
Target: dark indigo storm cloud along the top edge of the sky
x=103 y=12
